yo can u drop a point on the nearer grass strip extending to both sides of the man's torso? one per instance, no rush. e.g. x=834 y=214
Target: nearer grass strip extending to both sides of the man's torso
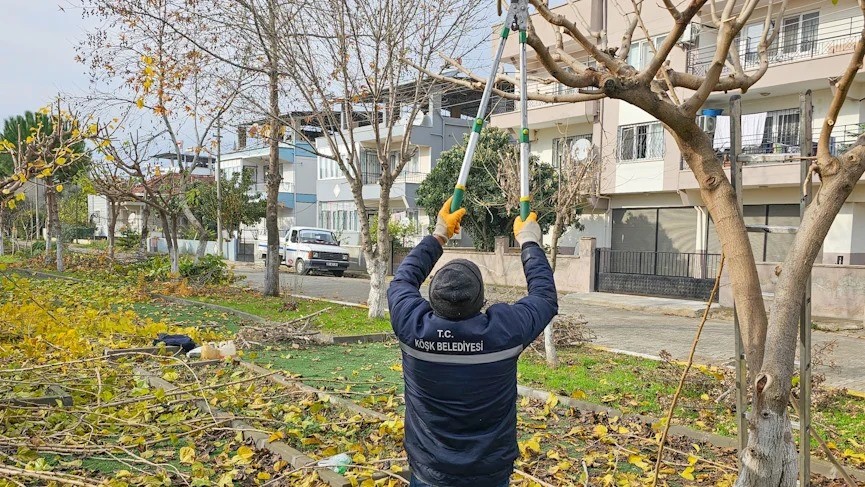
x=630 y=384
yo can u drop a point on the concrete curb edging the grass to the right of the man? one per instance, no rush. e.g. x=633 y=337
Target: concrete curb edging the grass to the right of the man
x=818 y=466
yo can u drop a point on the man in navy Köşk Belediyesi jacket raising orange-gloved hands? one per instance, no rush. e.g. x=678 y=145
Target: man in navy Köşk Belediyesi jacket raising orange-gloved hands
x=460 y=365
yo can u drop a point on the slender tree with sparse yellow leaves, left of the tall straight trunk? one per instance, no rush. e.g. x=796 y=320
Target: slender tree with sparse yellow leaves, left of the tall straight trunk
x=147 y=63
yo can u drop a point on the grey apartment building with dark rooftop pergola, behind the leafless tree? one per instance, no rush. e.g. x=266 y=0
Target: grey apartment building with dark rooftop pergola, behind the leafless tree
x=438 y=126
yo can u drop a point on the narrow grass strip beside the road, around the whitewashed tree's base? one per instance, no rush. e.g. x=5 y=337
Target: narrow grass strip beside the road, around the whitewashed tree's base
x=339 y=320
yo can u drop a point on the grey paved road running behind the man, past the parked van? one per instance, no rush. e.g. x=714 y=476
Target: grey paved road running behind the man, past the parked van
x=645 y=330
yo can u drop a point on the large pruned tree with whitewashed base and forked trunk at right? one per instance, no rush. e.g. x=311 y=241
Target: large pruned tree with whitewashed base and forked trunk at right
x=770 y=339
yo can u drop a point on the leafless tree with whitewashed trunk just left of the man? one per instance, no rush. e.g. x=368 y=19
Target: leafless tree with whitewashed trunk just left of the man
x=351 y=67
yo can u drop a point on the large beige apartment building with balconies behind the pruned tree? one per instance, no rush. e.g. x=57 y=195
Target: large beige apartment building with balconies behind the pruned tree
x=646 y=202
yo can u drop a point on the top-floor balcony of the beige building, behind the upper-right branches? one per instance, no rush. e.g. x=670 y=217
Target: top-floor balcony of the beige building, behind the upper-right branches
x=808 y=42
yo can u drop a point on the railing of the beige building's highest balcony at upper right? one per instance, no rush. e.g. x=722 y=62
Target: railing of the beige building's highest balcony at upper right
x=837 y=37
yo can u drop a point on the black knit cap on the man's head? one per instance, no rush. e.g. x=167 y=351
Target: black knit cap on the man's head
x=457 y=290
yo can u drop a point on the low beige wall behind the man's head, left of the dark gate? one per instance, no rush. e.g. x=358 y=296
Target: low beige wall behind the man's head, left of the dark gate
x=574 y=273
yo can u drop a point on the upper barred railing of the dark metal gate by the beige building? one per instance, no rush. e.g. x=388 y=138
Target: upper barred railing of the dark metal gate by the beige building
x=696 y=265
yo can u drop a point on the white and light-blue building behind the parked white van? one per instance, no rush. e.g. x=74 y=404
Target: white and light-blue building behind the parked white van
x=297 y=165
